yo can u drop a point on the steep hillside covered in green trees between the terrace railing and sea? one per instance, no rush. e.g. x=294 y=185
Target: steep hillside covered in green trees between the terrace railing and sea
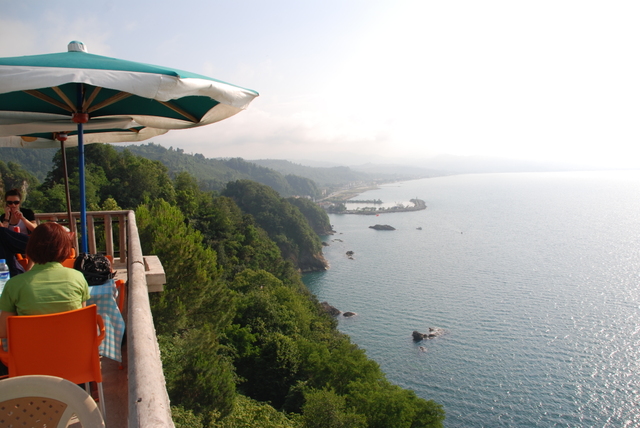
x=243 y=342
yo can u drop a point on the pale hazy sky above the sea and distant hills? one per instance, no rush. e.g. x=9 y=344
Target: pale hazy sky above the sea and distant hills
x=382 y=81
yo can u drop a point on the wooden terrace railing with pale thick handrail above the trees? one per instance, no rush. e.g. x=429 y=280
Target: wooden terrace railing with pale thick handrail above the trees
x=115 y=233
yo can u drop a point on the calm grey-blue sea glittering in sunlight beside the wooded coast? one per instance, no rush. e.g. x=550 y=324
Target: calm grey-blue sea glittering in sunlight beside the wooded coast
x=535 y=278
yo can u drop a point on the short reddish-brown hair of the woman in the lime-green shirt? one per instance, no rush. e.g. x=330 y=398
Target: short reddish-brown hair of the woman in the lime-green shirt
x=49 y=242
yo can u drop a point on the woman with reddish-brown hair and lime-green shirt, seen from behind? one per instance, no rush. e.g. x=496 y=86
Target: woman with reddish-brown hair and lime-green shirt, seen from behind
x=48 y=287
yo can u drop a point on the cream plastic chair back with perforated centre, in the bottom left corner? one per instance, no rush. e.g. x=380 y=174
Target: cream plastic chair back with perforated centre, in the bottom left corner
x=45 y=401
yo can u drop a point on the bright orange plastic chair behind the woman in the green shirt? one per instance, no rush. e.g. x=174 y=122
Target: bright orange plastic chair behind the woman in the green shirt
x=63 y=345
